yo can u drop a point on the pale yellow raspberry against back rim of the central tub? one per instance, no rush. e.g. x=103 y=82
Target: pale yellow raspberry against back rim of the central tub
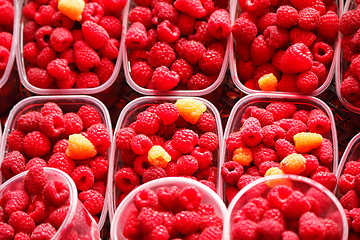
x=190 y=109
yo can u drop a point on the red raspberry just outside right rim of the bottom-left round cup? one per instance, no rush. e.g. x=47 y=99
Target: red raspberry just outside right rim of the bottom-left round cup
x=93 y=201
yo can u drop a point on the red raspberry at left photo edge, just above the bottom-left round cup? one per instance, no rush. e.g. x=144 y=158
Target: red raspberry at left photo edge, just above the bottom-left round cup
x=12 y=164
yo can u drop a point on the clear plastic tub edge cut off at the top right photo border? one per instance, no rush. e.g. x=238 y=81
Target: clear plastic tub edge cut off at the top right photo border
x=342 y=65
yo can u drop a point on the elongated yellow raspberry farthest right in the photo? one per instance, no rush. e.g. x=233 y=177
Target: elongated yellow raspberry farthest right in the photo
x=307 y=141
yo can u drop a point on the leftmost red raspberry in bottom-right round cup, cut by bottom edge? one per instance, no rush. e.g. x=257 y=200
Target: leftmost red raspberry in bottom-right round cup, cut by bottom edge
x=244 y=229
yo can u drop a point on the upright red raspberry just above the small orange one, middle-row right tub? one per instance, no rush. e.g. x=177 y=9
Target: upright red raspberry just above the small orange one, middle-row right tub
x=251 y=132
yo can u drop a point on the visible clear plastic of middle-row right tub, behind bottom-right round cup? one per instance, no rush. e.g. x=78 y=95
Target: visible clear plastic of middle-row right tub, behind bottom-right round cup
x=262 y=100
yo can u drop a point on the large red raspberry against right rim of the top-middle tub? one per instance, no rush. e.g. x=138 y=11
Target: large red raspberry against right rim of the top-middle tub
x=219 y=24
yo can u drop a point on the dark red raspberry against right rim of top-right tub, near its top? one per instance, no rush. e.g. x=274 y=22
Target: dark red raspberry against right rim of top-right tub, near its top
x=329 y=25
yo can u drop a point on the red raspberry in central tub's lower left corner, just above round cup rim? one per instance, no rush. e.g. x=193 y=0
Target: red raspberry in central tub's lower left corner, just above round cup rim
x=126 y=179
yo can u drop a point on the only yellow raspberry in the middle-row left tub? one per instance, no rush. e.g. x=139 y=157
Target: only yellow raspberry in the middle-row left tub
x=80 y=147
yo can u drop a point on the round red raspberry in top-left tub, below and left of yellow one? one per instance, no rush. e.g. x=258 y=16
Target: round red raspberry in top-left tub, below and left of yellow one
x=60 y=39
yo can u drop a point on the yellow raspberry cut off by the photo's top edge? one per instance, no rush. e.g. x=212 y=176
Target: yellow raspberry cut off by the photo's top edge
x=72 y=8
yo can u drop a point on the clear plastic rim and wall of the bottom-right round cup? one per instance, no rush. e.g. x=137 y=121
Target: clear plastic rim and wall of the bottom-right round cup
x=332 y=209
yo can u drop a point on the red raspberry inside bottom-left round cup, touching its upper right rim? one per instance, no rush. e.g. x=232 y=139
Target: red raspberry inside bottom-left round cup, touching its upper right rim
x=56 y=193
